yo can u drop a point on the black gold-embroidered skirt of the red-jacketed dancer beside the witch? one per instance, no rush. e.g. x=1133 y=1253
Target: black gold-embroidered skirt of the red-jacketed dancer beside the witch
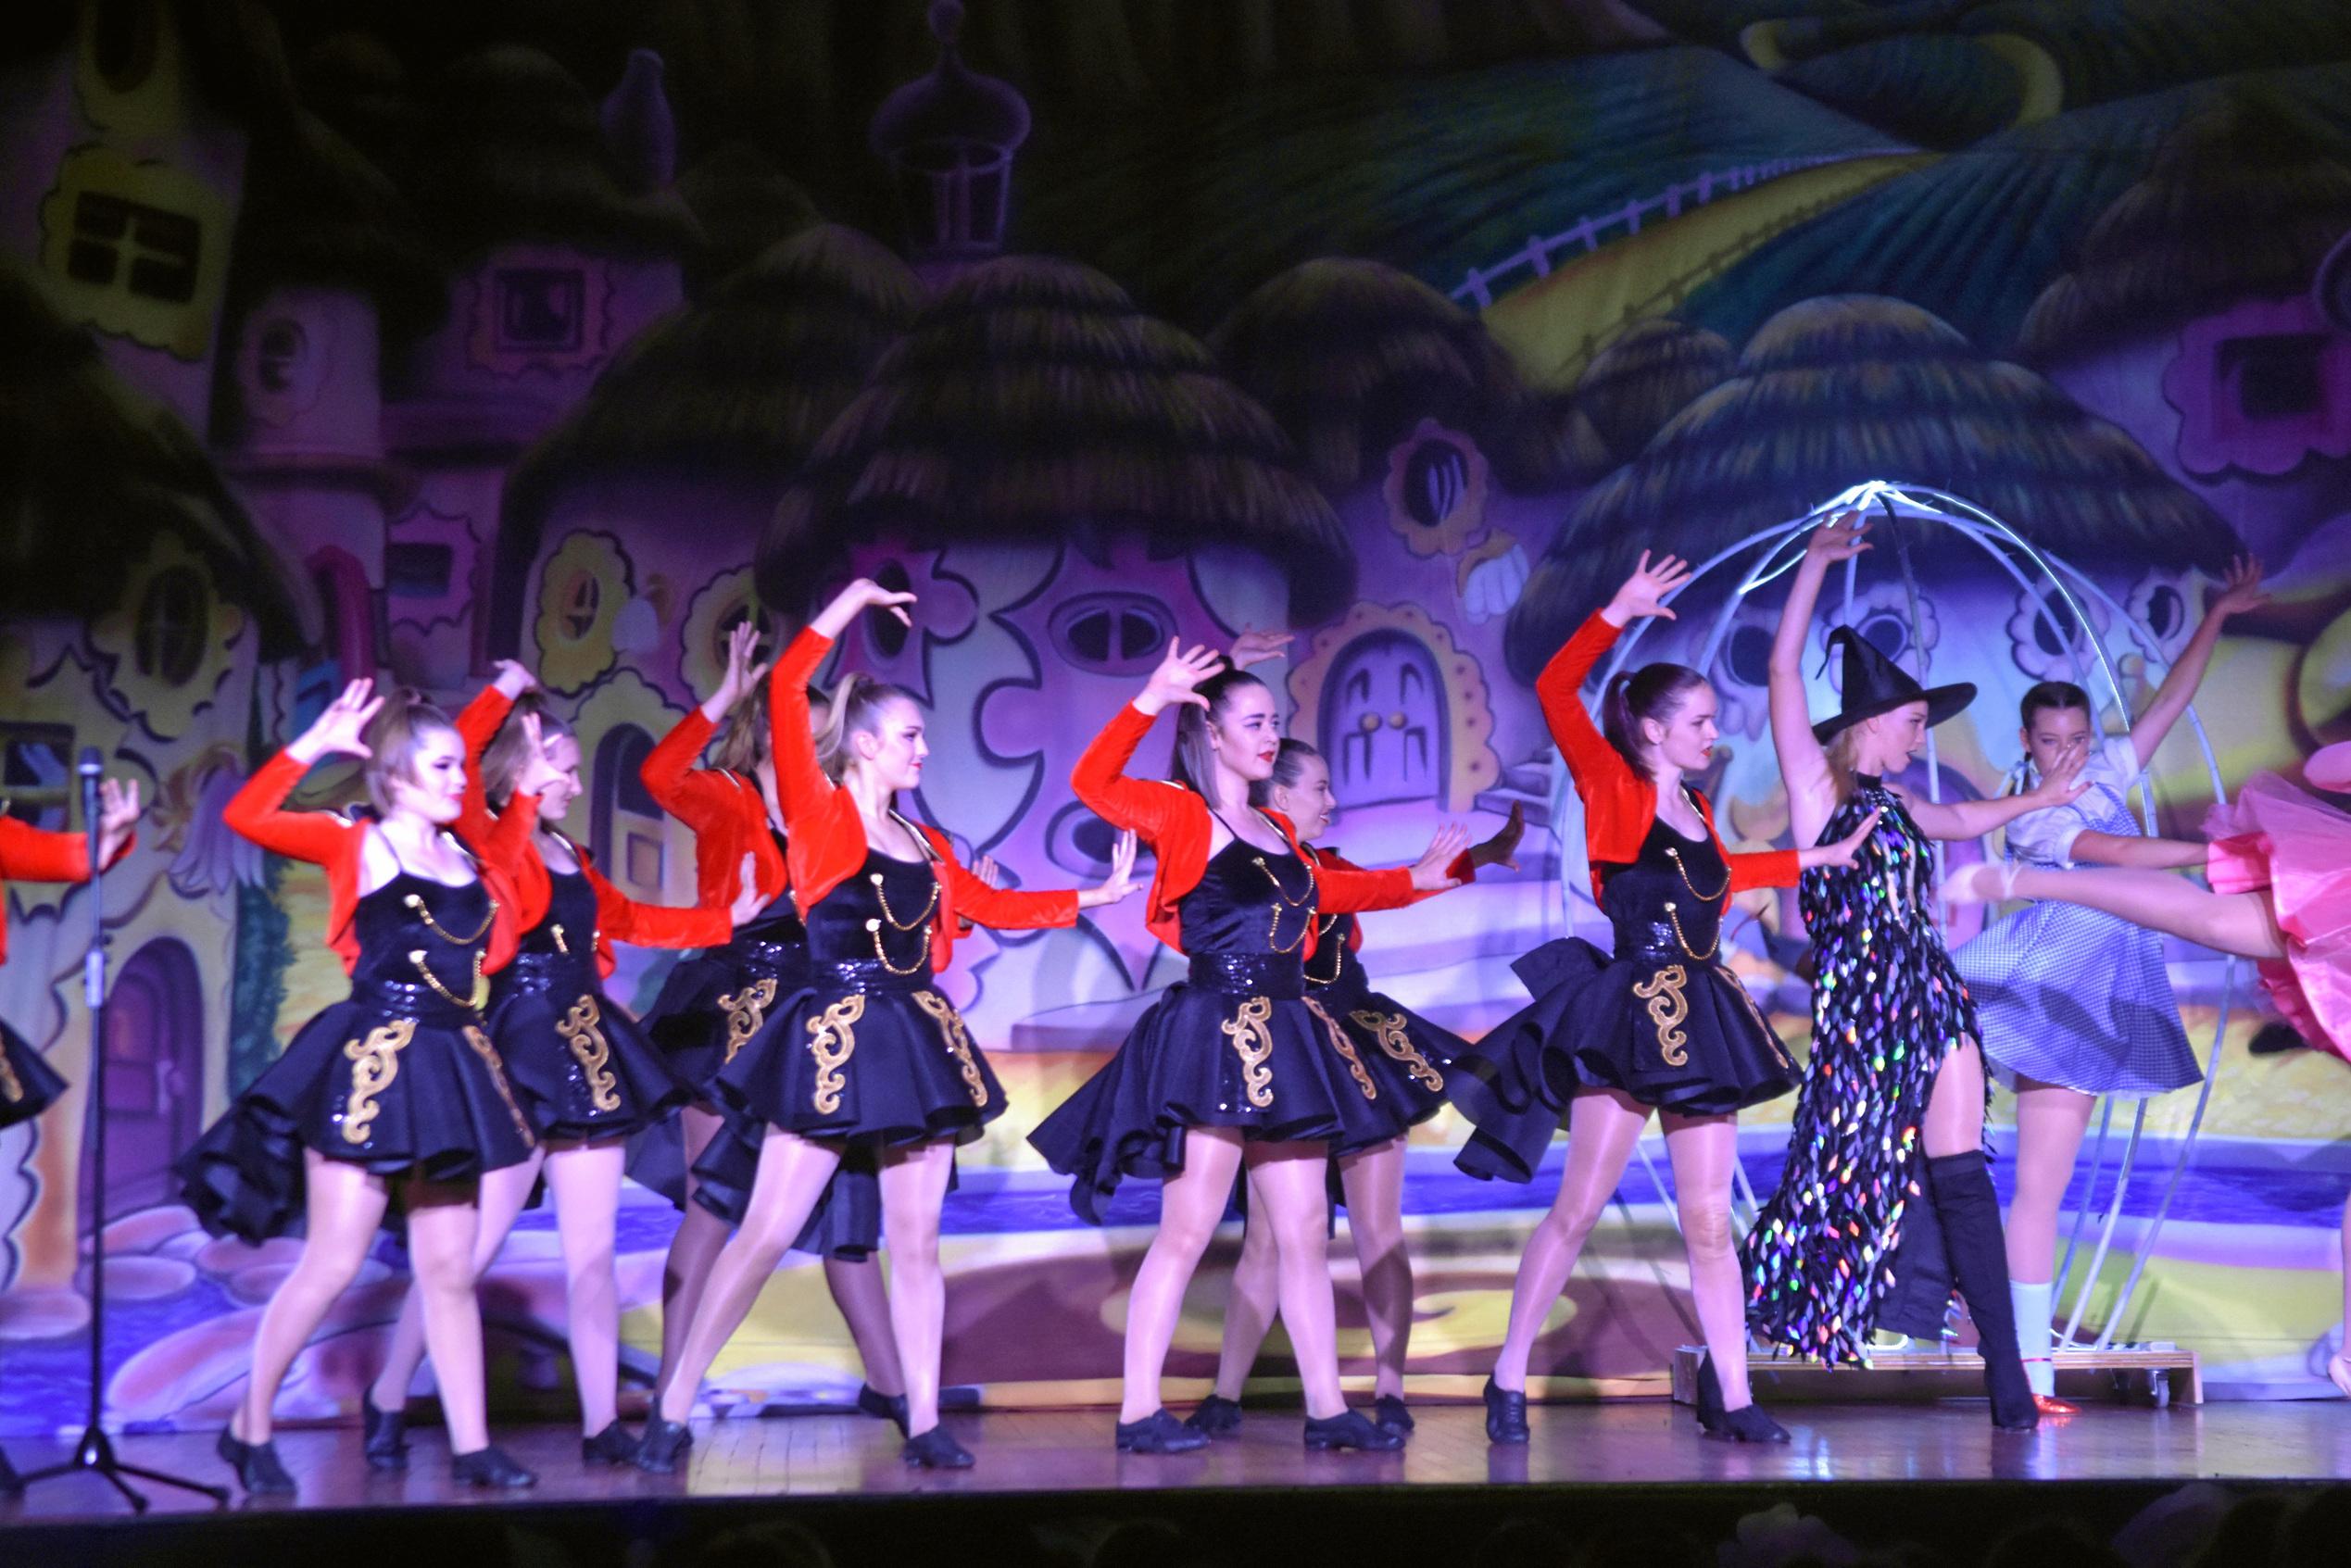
x=1666 y=1028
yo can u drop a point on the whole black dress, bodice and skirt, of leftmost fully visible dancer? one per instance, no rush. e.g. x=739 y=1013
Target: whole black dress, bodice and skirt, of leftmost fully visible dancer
x=401 y=1078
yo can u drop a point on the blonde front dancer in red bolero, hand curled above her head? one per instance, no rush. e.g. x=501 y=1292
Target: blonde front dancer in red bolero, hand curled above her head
x=866 y=1057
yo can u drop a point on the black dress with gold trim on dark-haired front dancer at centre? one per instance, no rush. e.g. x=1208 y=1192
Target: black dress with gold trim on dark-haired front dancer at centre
x=1238 y=1043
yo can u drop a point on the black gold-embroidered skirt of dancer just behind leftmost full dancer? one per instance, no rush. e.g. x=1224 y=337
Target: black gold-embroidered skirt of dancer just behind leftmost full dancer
x=580 y=1066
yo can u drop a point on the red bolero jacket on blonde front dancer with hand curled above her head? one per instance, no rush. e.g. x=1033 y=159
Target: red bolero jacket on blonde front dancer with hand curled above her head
x=826 y=838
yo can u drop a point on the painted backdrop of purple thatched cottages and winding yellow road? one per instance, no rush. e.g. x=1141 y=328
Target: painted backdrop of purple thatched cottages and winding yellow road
x=394 y=340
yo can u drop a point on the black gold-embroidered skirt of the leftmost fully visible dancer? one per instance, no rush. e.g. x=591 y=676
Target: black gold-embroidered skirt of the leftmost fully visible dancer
x=396 y=1080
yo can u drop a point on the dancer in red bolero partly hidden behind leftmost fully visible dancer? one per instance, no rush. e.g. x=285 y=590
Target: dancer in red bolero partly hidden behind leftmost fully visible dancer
x=587 y=1073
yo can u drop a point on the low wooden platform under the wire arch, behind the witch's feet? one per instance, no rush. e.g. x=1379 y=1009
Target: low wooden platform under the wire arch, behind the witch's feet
x=2124 y=1374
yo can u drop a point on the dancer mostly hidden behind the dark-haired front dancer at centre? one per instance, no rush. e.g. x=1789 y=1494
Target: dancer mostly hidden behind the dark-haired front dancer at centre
x=1407 y=1057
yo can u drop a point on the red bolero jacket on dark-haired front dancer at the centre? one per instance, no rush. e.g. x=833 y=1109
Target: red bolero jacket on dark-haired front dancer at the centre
x=1177 y=824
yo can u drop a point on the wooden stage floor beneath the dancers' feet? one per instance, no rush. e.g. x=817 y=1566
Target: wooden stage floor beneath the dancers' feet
x=2105 y=1461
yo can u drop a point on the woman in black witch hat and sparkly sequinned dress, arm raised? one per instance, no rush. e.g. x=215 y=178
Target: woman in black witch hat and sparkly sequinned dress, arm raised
x=1851 y=1235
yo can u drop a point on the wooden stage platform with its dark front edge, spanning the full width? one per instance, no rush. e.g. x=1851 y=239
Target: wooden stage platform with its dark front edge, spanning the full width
x=1259 y=1499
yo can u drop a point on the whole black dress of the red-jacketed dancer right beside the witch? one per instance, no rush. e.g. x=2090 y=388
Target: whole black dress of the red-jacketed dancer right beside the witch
x=1663 y=1021
